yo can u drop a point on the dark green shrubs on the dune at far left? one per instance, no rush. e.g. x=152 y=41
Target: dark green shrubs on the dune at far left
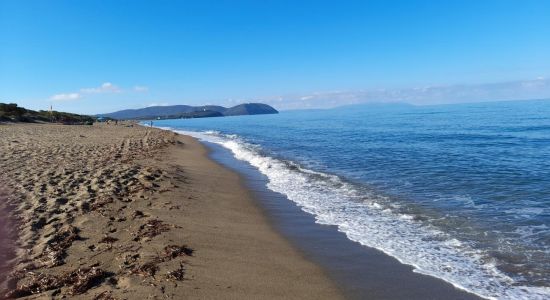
x=13 y=113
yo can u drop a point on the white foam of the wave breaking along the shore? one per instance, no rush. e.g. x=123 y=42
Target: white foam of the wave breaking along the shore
x=334 y=202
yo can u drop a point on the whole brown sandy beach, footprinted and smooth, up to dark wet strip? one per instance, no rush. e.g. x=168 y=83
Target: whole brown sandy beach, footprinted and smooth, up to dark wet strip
x=119 y=212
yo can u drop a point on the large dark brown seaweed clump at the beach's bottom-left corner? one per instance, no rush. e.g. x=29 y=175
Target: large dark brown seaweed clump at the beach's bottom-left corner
x=78 y=282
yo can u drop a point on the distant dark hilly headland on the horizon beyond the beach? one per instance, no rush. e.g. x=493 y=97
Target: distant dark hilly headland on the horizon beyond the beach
x=187 y=111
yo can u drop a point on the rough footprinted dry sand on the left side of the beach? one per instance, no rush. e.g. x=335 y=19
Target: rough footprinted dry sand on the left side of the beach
x=78 y=193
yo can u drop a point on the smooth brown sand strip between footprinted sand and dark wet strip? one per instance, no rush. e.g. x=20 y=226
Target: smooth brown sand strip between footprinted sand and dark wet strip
x=240 y=222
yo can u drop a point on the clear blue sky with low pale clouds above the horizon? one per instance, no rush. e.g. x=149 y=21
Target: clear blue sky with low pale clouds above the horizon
x=100 y=56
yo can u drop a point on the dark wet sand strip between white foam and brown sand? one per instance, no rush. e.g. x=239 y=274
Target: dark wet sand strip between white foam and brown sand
x=360 y=272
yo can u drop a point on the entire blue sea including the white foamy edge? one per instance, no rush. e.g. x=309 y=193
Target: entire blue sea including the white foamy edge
x=460 y=192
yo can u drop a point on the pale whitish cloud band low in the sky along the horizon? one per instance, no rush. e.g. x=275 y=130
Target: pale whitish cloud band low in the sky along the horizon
x=501 y=91
